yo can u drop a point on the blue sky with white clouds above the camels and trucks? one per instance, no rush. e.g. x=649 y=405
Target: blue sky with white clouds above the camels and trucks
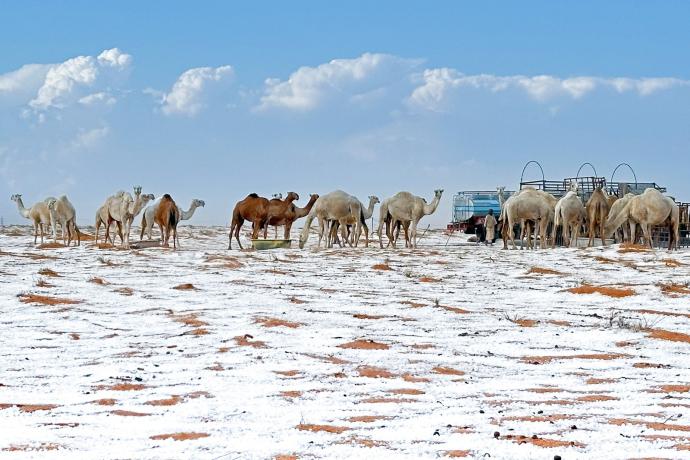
x=216 y=100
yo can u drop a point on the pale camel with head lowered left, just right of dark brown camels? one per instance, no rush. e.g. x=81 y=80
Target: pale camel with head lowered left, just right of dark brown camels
x=335 y=206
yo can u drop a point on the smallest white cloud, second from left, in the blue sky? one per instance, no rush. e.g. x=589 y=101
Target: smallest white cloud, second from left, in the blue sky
x=187 y=94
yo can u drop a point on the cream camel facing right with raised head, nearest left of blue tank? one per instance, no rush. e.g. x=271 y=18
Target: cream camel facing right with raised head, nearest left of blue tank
x=407 y=208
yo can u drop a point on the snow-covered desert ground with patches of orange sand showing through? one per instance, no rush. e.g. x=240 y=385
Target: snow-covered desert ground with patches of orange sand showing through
x=444 y=351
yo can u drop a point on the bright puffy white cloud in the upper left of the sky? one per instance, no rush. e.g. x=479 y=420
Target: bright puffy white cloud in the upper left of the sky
x=66 y=81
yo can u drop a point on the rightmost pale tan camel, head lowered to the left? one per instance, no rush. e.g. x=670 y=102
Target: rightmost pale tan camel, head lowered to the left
x=648 y=209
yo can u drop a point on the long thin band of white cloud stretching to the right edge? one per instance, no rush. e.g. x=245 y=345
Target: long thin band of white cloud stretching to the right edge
x=436 y=84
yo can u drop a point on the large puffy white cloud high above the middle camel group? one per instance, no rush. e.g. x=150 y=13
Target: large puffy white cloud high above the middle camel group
x=309 y=87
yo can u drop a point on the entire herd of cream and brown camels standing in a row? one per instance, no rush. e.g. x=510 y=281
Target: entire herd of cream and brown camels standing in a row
x=341 y=213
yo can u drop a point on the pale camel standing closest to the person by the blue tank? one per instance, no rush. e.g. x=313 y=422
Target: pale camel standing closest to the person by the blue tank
x=524 y=205
